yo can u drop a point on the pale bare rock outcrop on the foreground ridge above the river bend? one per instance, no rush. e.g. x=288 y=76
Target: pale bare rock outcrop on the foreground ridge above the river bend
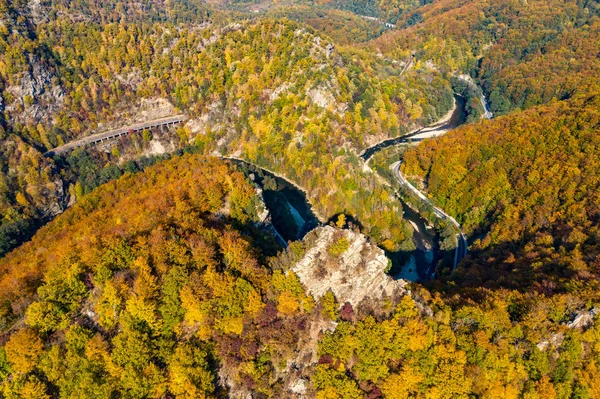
x=354 y=276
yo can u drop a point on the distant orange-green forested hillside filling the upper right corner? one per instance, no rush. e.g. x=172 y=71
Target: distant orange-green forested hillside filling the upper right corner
x=524 y=52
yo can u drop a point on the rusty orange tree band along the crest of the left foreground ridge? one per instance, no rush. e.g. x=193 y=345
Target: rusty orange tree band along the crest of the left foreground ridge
x=162 y=188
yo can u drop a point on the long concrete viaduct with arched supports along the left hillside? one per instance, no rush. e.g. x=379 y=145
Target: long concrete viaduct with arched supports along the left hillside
x=113 y=134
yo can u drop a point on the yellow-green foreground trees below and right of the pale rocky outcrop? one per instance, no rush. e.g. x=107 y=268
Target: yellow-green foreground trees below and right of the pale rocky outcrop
x=507 y=346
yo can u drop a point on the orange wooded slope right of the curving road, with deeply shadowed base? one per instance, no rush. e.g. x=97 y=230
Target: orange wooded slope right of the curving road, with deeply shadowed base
x=527 y=185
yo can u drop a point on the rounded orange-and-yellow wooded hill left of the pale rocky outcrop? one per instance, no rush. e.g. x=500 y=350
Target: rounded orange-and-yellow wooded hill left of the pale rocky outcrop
x=142 y=286
